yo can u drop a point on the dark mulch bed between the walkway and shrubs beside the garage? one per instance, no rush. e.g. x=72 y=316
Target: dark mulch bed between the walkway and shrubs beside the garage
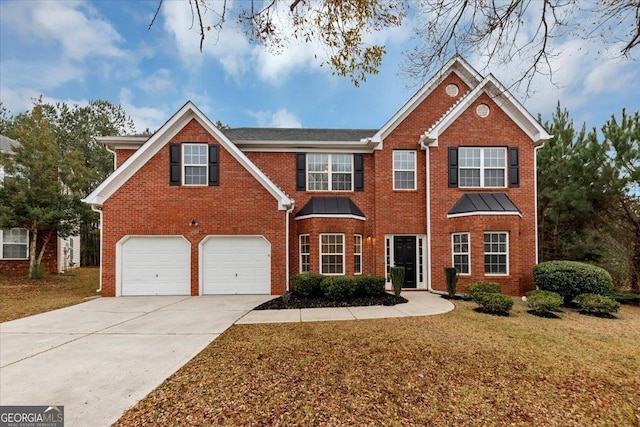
x=295 y=301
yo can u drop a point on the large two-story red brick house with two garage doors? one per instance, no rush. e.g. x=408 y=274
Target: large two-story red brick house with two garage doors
x=450 y=179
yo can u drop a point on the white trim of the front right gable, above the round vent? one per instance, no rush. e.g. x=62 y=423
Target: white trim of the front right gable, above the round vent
x=501 y=96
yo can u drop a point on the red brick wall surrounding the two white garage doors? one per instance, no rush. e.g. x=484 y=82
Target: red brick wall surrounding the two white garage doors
x=147 y=205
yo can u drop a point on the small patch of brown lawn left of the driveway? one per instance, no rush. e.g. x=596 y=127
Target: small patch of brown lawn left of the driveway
x=21 y=296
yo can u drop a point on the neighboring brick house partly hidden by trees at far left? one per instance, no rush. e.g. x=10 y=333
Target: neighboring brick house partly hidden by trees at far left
x=60 y=255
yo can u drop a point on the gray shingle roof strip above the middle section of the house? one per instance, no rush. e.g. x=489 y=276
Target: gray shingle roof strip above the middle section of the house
x=297 y=134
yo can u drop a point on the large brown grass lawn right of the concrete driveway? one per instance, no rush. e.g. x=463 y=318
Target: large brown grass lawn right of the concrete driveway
x=463 y=368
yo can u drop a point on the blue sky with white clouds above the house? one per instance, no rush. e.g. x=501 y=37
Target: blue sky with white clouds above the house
x=76 y=51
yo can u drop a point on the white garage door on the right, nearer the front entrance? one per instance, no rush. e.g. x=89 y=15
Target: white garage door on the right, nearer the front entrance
x=236 y=265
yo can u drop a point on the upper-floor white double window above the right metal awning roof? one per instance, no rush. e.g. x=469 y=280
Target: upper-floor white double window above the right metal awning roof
x=482 y=167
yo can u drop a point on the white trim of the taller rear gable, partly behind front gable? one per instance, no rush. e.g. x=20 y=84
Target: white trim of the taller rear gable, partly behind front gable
x=456 y=64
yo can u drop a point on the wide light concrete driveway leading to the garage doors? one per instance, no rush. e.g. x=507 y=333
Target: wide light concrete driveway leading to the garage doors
x=101 y=357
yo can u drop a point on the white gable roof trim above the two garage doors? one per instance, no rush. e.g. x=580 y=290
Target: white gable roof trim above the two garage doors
x=159 y=139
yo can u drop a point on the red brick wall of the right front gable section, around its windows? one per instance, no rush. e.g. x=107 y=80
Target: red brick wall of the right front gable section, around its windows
x=495 y=130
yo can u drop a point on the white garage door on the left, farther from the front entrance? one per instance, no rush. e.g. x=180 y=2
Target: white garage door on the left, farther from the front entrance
x=155 y=266
